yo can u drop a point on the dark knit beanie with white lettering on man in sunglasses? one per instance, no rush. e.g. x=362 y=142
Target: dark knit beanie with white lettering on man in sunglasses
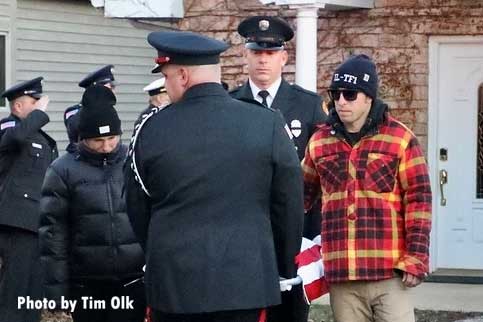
x=357 y=72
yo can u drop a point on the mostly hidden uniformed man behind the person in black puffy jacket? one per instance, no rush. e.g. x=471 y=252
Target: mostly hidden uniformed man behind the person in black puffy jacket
x=103 y=76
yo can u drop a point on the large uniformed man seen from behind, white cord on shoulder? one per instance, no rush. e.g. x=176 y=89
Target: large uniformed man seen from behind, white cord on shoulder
x=213 y=192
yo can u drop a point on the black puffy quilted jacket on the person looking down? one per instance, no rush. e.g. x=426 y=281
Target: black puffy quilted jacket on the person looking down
x=85 y=234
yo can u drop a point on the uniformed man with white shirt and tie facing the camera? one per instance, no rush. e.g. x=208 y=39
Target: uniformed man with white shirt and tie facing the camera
x=266 y=56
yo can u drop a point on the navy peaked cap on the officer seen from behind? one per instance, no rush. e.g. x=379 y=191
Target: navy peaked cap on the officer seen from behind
x=185 y=48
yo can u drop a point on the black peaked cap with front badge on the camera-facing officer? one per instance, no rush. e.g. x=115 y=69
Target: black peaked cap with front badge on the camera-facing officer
x=265 y=32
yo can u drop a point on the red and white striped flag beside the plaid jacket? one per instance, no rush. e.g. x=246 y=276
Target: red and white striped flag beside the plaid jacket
x=311 y=269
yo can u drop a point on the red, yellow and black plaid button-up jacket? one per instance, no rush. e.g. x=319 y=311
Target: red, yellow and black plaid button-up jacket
x=376 y=202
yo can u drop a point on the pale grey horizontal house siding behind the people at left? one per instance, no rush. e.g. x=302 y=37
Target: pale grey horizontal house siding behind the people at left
x=65 y=40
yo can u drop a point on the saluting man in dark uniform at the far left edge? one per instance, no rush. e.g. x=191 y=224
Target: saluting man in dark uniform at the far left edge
x=25 y=153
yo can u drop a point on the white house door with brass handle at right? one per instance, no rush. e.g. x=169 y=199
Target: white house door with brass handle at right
x=458 y=159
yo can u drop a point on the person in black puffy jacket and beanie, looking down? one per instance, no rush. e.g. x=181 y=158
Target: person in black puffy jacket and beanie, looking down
x=88 y=248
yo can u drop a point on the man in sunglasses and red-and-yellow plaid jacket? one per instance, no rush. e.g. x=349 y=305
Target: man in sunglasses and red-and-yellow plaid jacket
x=372 y=176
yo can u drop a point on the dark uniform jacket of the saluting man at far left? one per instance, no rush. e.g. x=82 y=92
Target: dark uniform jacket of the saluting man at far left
x=25 y=153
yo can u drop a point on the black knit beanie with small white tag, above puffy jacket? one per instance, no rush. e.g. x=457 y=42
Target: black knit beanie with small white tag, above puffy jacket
x=97 y=116
